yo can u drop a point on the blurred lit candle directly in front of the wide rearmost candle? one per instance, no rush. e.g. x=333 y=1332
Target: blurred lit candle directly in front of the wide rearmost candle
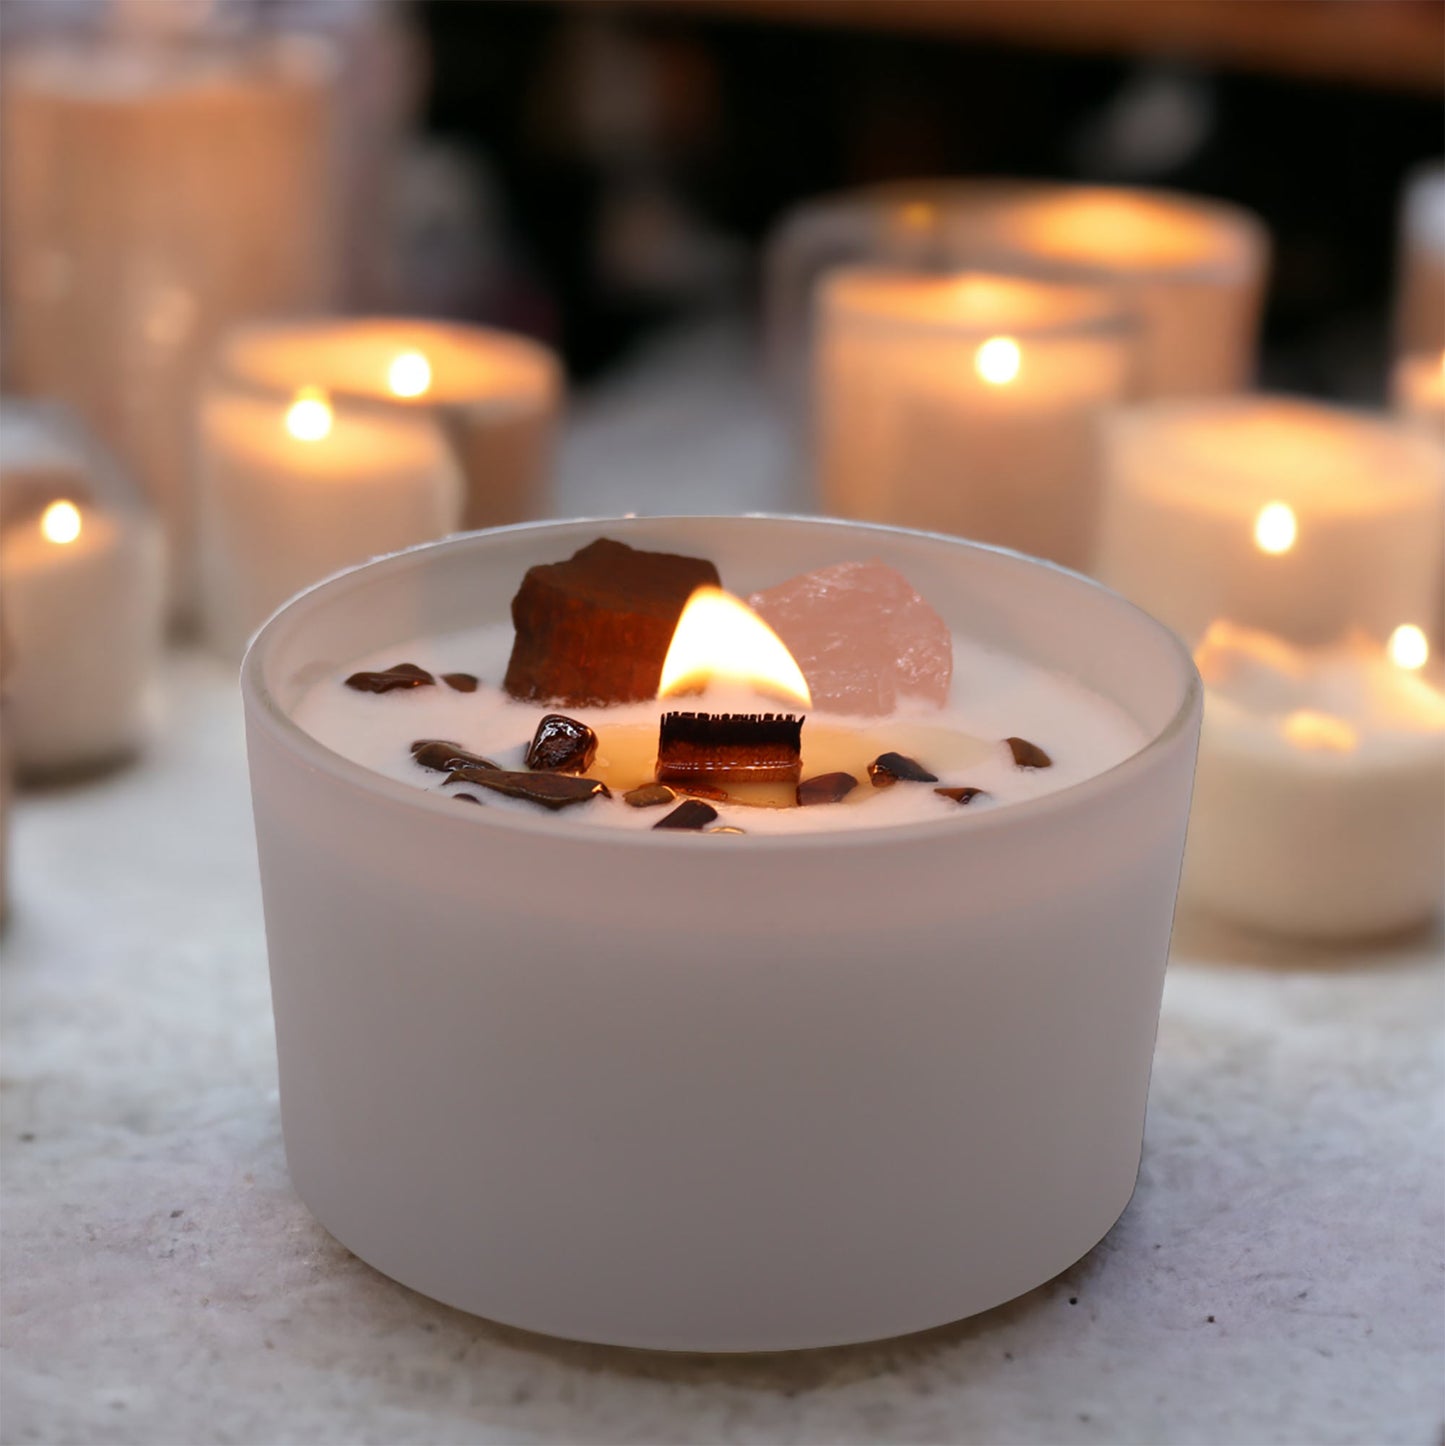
x=967 y=404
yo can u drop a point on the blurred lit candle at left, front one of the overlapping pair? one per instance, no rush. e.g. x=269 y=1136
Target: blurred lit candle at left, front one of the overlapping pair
x=296 y=491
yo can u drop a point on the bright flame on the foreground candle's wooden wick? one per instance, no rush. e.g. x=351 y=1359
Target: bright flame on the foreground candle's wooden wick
x=721 y=637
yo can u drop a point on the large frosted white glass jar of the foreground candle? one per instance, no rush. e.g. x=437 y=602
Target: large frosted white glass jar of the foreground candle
x=608 y=1082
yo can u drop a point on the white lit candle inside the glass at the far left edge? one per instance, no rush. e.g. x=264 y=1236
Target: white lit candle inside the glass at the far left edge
x=83 y=598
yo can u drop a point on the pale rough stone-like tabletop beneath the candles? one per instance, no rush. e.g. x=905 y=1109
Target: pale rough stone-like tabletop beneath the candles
x=163 y=1285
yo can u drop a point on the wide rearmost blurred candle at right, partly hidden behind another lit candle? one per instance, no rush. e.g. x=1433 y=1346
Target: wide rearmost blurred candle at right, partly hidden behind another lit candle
x=1191 y=270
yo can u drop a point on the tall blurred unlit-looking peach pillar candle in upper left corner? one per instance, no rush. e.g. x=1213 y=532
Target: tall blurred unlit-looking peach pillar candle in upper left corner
x=155 y=192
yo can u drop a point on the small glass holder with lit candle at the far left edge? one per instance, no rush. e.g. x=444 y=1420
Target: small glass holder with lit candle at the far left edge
x=82 y=598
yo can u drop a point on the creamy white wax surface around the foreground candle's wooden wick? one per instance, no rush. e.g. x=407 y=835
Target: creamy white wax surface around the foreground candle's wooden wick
x=963 y=744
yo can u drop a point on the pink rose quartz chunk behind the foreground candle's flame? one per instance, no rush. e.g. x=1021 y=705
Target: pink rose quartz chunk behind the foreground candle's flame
x=863 y=637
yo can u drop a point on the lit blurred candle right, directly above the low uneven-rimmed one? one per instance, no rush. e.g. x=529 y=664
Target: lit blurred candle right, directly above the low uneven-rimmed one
x=1301 y=520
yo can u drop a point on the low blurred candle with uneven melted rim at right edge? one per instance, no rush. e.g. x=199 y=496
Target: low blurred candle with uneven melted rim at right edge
x=1318 y=795
